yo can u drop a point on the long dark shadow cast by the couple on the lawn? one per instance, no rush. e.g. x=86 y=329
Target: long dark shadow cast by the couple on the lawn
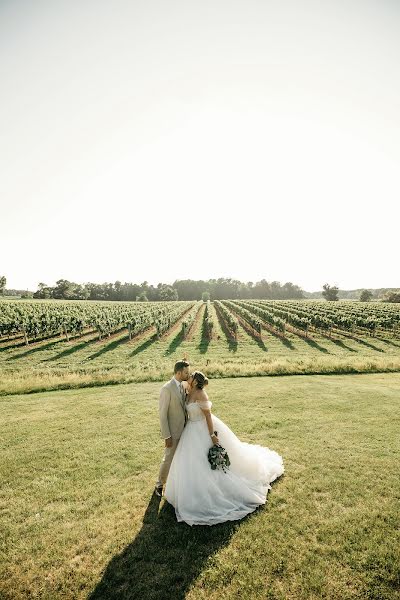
x=165 y=557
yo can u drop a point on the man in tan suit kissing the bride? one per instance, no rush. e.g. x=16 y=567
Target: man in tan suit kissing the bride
x=172 y=418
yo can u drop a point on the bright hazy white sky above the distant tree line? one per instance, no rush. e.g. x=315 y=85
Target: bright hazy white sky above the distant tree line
x=165 y=140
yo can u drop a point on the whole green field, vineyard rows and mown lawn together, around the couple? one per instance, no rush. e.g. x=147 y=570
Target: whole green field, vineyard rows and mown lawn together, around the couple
x=318 y=384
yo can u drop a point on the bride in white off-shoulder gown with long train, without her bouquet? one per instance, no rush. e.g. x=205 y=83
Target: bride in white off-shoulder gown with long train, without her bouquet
x=202 y=496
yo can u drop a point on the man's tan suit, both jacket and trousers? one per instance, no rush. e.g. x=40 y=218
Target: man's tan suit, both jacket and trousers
x=172 y=422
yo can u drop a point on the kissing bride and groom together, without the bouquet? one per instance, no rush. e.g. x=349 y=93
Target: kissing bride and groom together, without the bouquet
x=199 y=494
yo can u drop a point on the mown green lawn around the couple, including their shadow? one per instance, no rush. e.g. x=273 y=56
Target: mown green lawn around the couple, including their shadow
x=79 y=519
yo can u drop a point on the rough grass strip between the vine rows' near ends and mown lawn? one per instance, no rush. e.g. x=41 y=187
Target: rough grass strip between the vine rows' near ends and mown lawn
x=57 y=364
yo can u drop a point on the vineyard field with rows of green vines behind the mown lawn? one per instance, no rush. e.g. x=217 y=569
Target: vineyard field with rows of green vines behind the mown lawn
x=67 y=352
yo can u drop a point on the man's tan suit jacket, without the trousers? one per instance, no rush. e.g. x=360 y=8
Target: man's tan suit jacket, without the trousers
x=172 y=411
